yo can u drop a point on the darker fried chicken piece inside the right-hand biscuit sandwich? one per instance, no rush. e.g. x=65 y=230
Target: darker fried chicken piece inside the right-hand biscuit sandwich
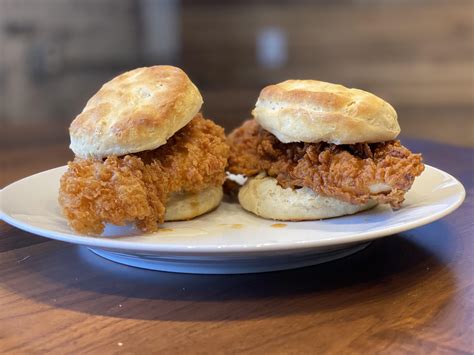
x=345 y=172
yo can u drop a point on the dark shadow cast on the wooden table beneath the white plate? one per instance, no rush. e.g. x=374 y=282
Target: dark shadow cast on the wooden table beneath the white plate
x=387 y=277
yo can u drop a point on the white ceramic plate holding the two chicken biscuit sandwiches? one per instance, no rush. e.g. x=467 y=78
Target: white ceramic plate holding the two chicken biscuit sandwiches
x=230 y=240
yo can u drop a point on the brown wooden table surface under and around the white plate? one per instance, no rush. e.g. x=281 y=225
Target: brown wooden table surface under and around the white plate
x=412 y=292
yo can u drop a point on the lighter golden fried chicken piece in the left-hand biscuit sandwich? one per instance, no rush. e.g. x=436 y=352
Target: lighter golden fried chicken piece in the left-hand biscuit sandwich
x=135 y=188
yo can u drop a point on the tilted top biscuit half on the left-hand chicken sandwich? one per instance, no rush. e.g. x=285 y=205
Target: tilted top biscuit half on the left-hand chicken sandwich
x=136 y=111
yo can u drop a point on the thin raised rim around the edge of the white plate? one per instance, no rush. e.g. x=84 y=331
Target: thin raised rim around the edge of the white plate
x=131 y=246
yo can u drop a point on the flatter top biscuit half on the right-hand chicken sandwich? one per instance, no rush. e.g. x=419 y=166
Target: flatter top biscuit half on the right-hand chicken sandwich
x=314 y=111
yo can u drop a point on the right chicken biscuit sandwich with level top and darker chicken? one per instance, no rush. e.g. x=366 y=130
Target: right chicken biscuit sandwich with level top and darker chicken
x=317 y=150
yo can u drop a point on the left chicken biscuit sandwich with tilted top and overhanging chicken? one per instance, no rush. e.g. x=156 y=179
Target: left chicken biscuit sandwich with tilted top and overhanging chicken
x=143 y=154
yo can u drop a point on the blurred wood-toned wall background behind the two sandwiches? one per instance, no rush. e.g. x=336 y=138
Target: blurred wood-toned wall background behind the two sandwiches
x=417 y=54
